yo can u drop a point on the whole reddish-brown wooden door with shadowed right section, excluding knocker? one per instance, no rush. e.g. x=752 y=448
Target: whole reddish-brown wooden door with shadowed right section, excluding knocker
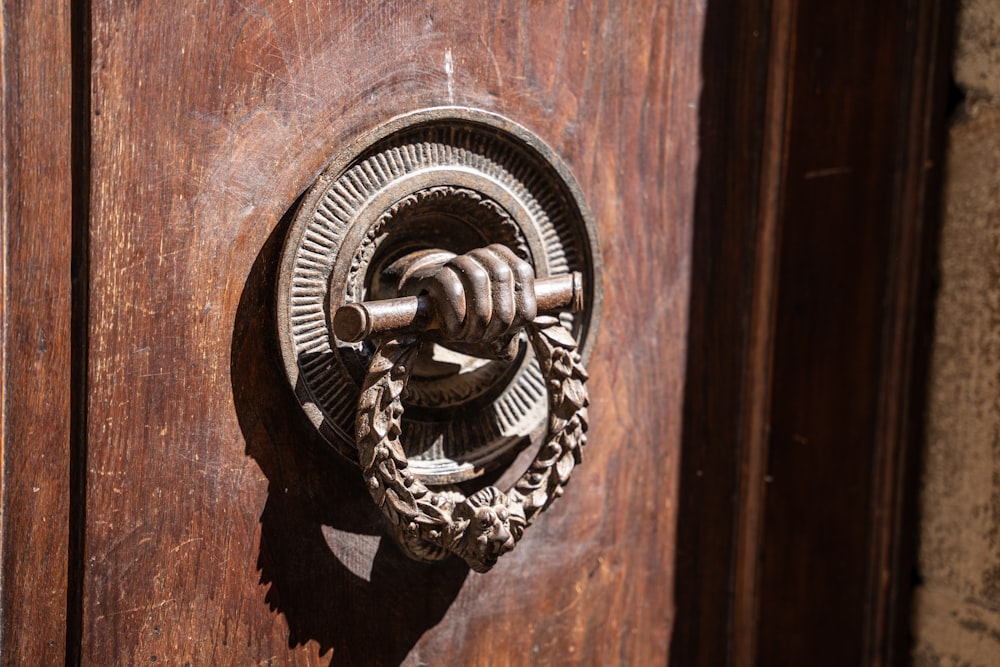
x=166 y=501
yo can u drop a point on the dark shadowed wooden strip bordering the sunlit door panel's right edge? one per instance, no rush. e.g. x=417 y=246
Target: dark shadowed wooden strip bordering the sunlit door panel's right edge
x=731 y=253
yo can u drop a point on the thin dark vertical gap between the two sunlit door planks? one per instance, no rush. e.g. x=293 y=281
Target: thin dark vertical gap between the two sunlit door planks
x=81 y=62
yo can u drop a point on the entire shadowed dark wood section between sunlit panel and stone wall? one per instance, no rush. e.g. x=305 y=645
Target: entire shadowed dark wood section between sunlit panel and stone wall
x=813 y=254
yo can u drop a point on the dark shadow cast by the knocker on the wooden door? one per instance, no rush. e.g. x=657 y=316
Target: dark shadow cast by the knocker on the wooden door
x=330 y=575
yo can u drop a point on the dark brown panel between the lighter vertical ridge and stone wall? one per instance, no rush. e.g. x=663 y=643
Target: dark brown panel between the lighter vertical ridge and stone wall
x=853 y=309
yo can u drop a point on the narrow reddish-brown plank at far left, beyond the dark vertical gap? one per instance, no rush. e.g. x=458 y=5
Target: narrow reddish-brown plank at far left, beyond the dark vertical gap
x=36 y=244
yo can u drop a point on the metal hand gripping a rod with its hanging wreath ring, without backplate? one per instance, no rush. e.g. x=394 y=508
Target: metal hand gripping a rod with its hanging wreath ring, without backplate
x=477 y=303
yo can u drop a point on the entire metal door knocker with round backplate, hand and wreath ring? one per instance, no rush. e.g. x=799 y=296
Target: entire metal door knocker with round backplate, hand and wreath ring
x=437 y=300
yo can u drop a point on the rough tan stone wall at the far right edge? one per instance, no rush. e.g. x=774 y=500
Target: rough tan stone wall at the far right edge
x=957 y=604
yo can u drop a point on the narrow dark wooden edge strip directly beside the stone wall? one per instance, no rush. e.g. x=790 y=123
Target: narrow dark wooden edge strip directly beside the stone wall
x=911 y=273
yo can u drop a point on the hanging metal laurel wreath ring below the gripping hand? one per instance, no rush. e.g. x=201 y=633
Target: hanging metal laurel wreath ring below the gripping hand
x=430 y=524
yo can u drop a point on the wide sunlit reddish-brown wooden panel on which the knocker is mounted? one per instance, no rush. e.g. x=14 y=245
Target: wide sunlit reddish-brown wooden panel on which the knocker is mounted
x=219 y=528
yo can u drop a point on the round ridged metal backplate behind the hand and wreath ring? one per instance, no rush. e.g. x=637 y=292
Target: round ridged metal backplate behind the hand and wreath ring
x=450 y=178
